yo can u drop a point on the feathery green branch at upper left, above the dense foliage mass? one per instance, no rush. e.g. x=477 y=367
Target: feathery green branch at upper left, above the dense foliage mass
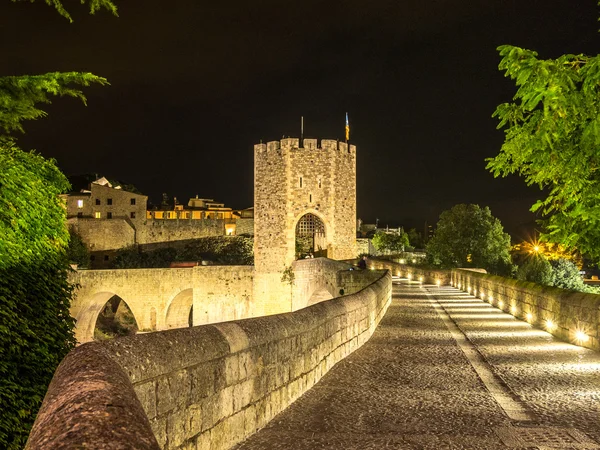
x=20 y=95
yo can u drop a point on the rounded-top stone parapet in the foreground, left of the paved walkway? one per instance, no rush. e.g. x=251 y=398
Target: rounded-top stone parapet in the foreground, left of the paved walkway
x=202 y=387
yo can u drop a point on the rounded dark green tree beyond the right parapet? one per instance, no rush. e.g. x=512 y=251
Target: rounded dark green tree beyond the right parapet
x=469 y=236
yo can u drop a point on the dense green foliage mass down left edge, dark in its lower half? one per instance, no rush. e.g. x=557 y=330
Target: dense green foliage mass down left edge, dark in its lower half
x=36 y=330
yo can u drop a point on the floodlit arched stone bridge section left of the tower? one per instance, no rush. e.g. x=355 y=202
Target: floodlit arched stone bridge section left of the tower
x=162 y=298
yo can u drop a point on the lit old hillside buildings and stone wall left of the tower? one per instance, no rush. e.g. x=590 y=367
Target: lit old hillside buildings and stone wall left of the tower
x=109 y=218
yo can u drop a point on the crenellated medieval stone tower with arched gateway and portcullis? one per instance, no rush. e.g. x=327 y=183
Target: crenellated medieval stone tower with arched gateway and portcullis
x=301 y=196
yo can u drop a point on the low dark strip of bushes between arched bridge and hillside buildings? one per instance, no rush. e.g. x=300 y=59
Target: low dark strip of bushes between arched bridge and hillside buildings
x=225 y=250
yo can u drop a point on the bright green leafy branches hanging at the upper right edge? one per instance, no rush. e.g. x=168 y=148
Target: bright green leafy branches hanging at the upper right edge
x=552 y=137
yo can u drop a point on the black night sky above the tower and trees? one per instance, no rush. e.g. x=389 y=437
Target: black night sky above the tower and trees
x=195 y=84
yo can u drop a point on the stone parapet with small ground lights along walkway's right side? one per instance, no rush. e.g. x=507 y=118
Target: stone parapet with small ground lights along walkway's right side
x=569 y=311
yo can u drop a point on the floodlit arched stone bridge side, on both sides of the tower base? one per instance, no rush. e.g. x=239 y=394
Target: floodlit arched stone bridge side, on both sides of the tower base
x=162 y=299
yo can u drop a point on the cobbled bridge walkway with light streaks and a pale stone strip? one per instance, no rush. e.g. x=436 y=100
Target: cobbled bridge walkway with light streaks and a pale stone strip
x=445 y=370
